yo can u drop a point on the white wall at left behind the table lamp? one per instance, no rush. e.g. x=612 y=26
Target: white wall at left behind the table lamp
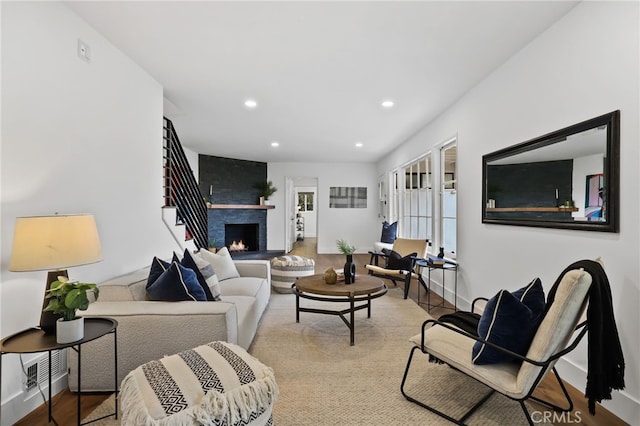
x=76 y=137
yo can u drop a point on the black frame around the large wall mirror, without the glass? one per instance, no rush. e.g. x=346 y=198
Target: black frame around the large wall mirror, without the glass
x=612 y=174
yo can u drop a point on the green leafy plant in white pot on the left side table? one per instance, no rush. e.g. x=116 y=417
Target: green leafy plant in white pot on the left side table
x=65 y=298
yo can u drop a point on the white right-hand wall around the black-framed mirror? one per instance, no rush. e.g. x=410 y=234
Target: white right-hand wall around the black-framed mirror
x=585 y=65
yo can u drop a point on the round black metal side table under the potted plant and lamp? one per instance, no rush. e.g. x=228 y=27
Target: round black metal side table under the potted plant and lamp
x=34 y=340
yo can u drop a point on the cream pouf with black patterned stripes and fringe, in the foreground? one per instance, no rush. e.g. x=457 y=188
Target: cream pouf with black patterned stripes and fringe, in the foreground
x=214 y=384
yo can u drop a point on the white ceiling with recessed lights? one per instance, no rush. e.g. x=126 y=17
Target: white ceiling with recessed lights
x=318 y=70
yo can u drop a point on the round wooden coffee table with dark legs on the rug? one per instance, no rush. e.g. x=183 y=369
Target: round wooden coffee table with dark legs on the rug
x=365 y=289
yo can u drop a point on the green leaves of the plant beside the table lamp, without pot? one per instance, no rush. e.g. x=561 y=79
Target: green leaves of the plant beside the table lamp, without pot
x=66 y=297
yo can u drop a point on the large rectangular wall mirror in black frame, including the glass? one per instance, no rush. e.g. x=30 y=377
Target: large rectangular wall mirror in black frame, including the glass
x=565 y=179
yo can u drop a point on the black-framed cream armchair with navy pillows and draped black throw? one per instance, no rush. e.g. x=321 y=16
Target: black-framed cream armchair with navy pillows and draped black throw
x=519 y=339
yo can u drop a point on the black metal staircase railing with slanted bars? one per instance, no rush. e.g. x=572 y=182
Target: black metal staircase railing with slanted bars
x=181 y=191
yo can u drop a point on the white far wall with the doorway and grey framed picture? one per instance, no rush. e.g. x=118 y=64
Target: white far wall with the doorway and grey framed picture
x=358 y=226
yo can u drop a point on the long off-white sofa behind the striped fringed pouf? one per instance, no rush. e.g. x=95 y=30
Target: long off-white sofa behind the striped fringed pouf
x=149 y=330
